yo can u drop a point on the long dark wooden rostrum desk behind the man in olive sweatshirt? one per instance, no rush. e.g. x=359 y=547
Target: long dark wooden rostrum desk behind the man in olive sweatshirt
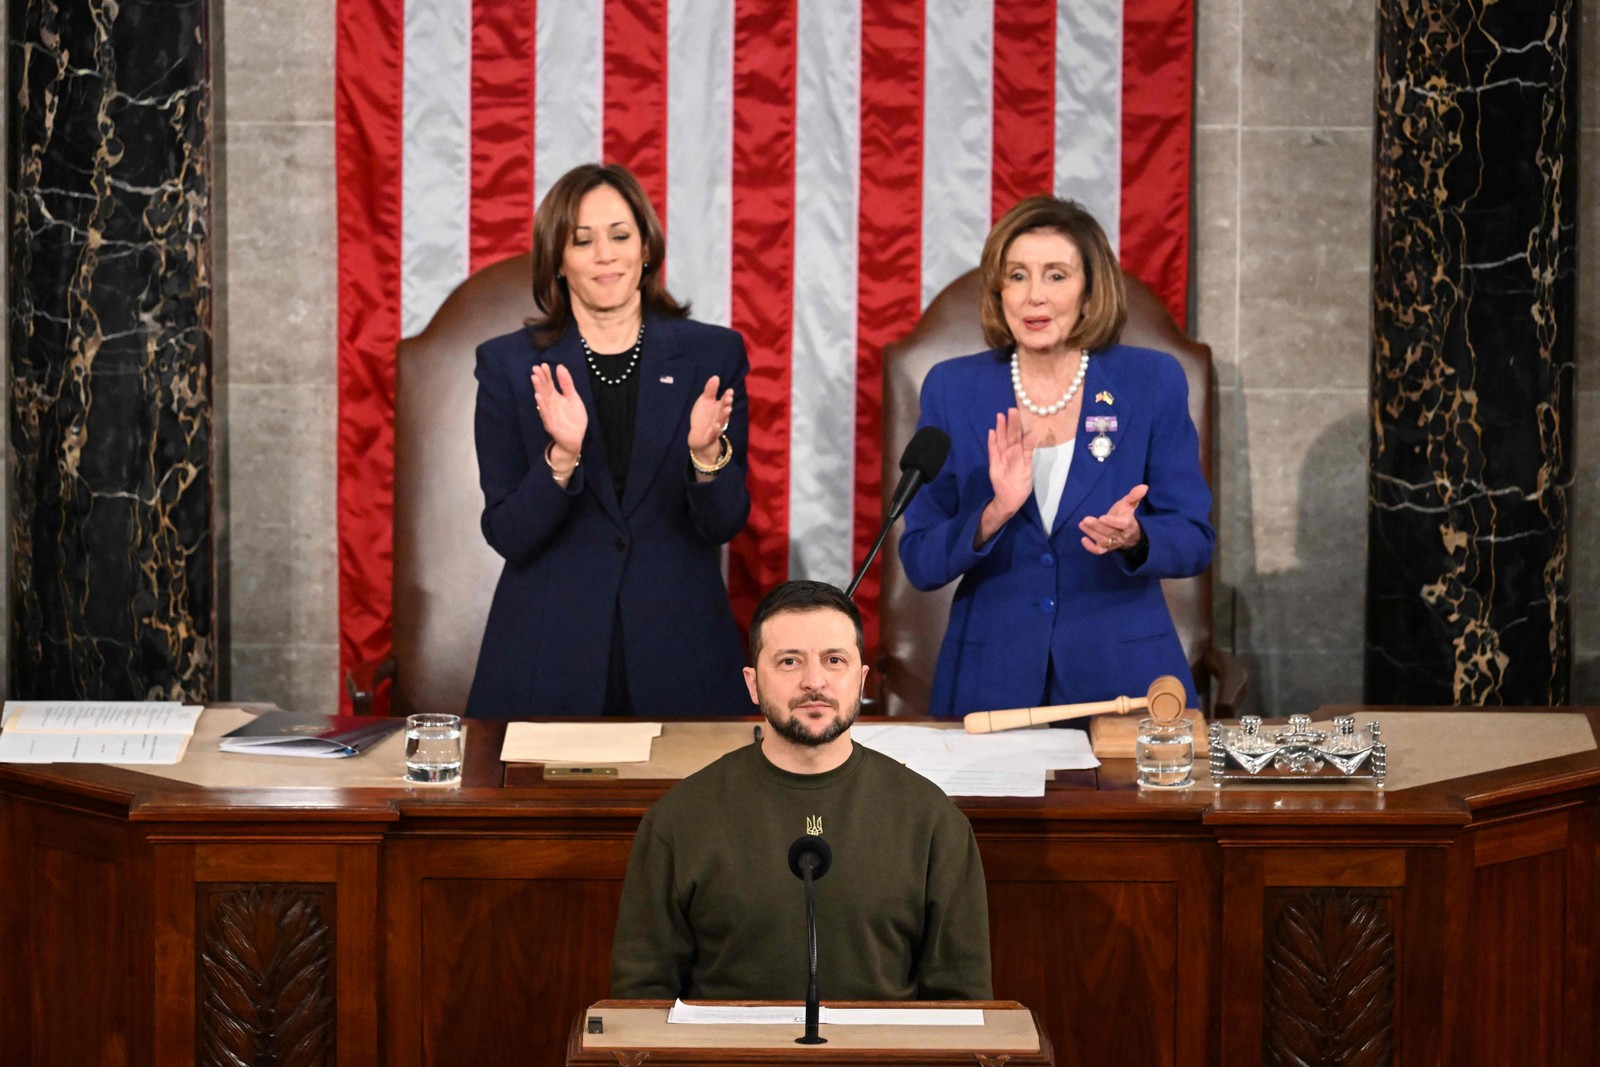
x=1446 y=921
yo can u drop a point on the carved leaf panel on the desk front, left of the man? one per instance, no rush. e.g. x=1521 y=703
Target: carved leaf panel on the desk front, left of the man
x=265 y=975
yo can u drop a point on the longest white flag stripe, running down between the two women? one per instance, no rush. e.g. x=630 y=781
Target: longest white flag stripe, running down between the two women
x=823 y=362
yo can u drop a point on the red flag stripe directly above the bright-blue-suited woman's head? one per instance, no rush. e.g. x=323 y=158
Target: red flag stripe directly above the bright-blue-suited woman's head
x=1025 y=103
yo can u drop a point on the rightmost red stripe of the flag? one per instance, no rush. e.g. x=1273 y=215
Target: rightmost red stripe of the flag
x=1158 y=124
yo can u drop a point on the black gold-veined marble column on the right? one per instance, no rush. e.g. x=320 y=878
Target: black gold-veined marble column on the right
x=1474 y=319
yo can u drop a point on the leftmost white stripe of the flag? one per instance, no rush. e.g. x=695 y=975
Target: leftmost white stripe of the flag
x=436 y=122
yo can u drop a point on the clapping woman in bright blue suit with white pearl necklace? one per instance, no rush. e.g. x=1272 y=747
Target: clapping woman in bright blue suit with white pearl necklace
x=1073 y=486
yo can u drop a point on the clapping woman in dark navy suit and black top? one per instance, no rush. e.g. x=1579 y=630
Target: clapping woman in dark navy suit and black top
x=612 y=438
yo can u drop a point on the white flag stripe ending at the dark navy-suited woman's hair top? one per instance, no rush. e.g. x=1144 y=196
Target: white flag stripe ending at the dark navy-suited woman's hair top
x=569 y=89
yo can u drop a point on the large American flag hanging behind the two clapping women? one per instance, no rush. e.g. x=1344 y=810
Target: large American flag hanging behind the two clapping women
x=823 y=170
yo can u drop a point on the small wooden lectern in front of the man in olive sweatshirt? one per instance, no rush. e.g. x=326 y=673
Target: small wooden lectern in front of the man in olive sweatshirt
x=638 y=1033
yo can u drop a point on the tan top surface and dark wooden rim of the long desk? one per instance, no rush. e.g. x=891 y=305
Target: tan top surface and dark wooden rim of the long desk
x=1439 y=761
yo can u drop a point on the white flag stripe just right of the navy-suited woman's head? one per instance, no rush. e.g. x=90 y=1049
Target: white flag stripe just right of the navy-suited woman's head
x=700 y=156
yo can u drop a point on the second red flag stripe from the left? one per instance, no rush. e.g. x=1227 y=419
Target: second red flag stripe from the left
x=502 y=146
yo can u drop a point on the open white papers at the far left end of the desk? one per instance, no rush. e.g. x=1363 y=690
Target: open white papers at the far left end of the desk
x=97 y=732
